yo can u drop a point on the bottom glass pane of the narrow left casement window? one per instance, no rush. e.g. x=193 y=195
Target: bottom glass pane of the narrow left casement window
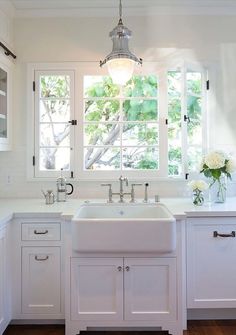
x=54 y=159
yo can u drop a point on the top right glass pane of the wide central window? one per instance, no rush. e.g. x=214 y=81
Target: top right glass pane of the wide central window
x=141 y=86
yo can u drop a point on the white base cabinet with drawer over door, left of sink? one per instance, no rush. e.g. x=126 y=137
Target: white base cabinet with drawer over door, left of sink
x=38 y=272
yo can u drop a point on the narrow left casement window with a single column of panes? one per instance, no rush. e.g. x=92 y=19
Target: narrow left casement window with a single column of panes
x=54 y=109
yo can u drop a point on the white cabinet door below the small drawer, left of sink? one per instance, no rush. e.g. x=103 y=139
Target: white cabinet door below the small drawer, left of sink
x=41 y=280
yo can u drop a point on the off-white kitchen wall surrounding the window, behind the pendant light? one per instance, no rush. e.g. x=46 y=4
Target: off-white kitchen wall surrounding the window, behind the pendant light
x=199 y=38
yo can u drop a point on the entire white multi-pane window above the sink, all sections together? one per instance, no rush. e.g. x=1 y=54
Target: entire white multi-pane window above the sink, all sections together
x=153 y=127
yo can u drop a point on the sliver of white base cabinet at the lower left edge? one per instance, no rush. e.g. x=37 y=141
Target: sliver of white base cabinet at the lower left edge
x=4 y=282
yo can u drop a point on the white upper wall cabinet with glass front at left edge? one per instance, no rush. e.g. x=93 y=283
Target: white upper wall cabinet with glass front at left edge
x=5 y=103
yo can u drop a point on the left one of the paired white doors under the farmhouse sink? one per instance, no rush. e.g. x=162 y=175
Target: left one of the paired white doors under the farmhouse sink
x=97 y=288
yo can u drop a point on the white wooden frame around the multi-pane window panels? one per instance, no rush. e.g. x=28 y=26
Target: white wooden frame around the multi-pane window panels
x=92 y=68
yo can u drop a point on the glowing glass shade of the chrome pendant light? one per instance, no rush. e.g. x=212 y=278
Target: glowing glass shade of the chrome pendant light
x=120 y=70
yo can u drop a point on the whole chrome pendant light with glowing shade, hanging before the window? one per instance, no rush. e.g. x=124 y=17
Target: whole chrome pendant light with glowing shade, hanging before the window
x=120 y=62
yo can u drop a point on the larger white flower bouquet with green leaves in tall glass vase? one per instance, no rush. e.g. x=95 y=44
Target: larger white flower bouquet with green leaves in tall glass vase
x=216 y=165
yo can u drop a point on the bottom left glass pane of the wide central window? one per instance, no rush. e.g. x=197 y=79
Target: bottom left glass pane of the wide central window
x=102 y=158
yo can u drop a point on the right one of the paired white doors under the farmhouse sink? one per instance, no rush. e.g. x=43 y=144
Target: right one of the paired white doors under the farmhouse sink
x=150 y=288
